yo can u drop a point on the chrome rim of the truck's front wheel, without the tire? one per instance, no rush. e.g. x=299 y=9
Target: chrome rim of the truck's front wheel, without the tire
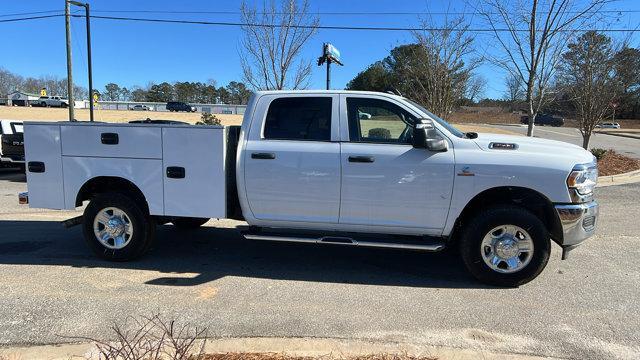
x=507 y=249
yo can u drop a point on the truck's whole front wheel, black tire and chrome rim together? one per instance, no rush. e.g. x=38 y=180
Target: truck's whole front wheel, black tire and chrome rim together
x=505 y=246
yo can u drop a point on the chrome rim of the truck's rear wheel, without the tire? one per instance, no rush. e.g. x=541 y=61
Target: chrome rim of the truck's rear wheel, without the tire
x=113 y=228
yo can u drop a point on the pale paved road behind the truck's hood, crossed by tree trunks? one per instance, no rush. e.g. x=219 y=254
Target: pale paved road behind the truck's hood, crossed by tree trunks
x=623 y=145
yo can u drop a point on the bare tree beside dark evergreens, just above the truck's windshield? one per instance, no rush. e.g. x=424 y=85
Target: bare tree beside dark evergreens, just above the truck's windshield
x=440 y=74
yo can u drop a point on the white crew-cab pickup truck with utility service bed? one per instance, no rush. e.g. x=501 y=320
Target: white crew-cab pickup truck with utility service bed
x=305 y=166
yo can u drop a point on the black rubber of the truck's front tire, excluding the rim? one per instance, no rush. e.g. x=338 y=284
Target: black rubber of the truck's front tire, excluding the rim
x=478 y=227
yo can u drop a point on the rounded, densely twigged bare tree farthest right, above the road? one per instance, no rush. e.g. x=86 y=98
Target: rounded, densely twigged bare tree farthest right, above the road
x=587 y=76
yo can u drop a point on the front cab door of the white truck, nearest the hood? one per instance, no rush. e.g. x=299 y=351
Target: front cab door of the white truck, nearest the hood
x=385 y=180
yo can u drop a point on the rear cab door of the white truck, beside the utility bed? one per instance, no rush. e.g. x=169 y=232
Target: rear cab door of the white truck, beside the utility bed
x=292 y=159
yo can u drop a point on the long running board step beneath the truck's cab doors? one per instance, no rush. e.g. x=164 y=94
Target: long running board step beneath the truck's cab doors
x=340 y=240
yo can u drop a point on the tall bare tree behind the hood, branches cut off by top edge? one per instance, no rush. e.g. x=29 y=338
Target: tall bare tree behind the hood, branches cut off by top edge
x=532 y=35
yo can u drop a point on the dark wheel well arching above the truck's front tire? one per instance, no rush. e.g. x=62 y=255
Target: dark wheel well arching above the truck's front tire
x=526 y=198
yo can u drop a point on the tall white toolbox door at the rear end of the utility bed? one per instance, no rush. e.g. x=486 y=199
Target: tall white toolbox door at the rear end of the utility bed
x=44 y=179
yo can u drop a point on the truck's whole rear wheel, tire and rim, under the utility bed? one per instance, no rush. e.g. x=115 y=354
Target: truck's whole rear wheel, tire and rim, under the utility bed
x=116 y=228
